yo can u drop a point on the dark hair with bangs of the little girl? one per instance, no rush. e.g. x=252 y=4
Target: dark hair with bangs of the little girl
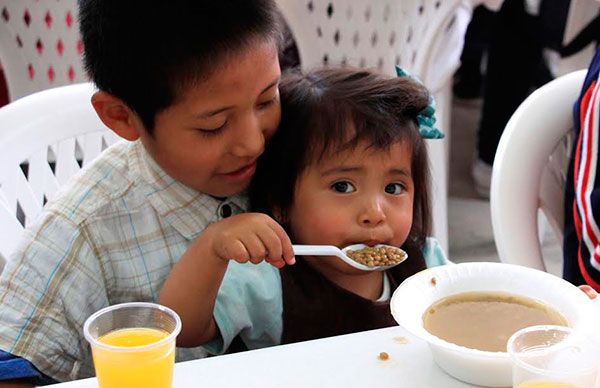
x=329 y=110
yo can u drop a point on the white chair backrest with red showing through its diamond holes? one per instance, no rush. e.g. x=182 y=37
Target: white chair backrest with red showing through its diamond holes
x=40 y=46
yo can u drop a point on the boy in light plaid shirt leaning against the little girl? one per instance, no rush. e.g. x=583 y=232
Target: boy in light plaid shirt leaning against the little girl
x=193 y=86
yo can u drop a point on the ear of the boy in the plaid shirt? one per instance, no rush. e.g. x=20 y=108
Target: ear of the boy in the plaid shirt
x=116 y=115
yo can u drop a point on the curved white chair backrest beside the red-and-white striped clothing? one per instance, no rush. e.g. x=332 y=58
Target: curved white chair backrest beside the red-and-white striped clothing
x=530 y=170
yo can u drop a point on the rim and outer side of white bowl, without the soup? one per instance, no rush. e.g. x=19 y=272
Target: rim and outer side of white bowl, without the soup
x=492 y=369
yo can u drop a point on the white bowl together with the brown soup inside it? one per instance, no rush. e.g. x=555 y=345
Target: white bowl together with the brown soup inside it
x=463 y=353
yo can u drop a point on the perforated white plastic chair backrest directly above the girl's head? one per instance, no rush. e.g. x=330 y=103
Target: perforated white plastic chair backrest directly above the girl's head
x=378 y=34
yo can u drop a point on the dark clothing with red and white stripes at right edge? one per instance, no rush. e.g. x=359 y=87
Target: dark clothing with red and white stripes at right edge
x=581 y=244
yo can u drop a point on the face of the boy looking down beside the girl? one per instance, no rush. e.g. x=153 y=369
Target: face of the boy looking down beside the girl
x=211 y=137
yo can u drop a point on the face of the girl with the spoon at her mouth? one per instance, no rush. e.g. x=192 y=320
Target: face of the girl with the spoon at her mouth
x=361 y=195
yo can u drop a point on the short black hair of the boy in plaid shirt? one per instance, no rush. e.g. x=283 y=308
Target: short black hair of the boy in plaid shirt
x=148 y=52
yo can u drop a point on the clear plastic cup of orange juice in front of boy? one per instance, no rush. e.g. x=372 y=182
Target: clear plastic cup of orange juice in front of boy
x=133 y=345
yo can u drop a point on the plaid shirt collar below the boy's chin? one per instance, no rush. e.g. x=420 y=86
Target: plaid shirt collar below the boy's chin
x=185 y=209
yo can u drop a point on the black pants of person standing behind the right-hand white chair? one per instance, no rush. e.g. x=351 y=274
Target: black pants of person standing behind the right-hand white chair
x=515 y=64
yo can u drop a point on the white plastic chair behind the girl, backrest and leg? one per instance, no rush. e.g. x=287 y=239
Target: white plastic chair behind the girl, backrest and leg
x=425 y=37
